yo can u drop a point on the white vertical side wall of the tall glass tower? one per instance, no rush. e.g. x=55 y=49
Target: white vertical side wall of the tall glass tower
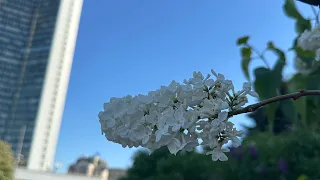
x=53 y=96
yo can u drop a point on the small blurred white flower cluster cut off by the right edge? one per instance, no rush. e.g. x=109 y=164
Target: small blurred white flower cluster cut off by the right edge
x=310 y=41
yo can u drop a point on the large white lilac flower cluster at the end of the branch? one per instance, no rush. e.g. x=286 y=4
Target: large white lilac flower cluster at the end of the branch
x=178 y=116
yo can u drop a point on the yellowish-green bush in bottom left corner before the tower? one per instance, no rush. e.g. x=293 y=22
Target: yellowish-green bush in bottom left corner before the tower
x=6 y=161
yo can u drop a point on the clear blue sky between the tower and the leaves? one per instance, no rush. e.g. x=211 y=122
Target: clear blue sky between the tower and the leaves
x=134 y=46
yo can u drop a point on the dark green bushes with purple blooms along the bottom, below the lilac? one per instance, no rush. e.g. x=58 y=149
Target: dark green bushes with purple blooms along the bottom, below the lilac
x=264 y=156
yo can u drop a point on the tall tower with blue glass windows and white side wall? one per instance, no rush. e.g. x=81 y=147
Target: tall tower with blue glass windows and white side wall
x=37 y=41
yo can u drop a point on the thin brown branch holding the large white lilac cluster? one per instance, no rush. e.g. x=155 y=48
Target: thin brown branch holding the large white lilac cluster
x=293 y=96
